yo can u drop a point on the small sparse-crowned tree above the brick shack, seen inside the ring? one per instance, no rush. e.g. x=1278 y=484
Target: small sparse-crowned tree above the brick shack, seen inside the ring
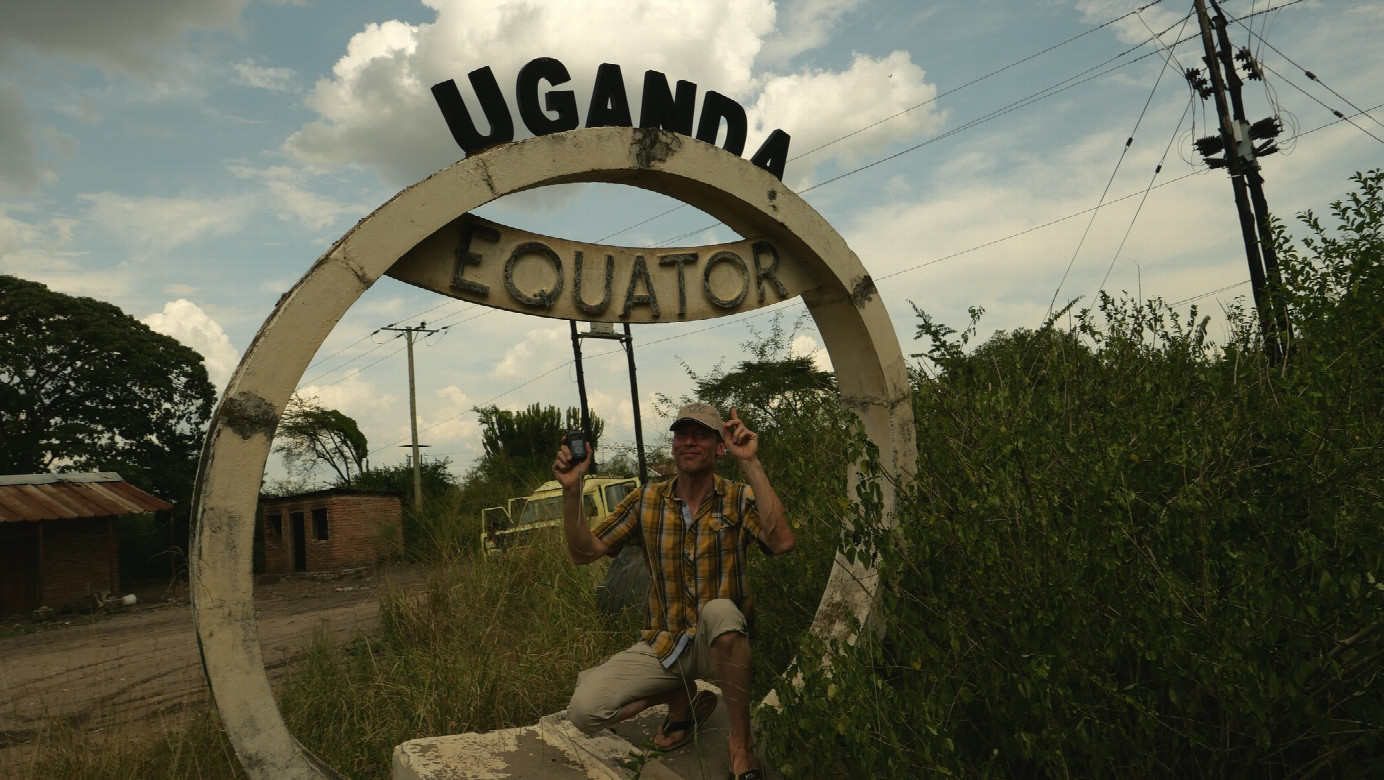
x=311 y=435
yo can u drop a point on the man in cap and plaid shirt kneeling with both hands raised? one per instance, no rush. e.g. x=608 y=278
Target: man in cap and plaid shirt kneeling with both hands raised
x=695 y=530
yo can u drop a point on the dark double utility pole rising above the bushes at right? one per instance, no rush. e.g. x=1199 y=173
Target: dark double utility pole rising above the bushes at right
x=1237 y=140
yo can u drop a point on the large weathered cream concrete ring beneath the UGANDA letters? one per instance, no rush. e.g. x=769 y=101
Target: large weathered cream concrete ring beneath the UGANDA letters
x=855 y=326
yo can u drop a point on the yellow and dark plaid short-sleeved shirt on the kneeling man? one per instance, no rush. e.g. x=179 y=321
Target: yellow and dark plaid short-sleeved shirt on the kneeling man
x=689 y=565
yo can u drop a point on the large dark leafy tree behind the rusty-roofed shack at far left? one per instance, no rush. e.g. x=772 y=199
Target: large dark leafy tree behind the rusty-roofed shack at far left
x=86 y=387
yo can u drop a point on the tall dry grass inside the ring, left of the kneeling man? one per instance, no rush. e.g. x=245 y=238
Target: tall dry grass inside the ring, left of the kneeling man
x=485 y=644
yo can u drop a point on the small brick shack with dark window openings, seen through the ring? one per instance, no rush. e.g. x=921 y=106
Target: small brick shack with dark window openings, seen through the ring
x=331 y=529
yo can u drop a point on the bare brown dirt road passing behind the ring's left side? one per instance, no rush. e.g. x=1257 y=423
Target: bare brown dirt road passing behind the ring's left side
x=121 y=669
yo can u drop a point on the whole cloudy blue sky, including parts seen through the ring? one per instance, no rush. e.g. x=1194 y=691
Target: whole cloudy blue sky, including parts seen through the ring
x=190 y=161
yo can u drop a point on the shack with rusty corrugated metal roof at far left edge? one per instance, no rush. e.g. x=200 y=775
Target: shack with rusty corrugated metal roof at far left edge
x=59 y=539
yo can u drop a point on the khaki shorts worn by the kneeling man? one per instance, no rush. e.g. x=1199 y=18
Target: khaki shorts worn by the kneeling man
x=639 y=674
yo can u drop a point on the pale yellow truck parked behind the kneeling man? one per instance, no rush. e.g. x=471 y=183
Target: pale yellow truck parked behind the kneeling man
x=531 y=518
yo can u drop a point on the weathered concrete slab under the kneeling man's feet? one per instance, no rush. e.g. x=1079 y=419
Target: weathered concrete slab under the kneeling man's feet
x=556 y=749
